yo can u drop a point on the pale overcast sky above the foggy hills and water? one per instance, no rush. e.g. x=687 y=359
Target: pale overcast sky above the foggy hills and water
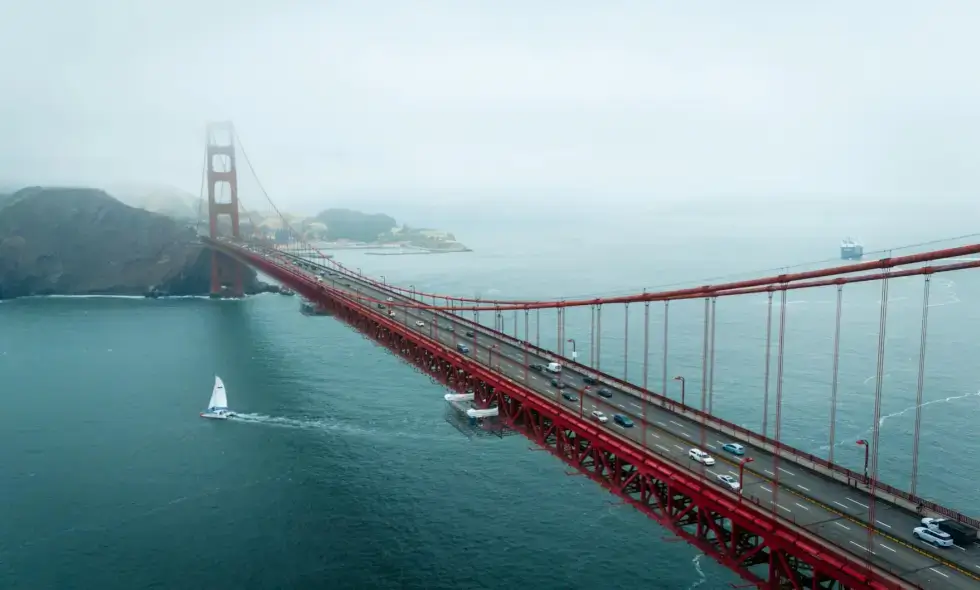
x=464 y=99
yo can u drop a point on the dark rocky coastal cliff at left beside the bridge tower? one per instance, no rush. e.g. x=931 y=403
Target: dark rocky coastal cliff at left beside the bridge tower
x=76 y=241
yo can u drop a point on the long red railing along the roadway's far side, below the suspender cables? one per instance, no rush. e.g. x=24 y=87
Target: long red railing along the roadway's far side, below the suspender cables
x=719 y=424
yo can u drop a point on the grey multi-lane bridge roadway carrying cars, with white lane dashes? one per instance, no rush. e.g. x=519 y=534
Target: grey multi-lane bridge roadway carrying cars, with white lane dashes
x=825 y=507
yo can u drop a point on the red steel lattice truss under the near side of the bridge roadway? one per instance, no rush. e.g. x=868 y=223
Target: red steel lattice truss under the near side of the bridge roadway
x=765 y=550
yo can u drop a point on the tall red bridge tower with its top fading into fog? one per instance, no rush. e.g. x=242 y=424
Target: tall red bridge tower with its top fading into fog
x=223 y=175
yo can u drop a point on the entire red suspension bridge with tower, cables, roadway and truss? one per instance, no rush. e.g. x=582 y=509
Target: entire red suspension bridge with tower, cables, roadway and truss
x=778 y=516
